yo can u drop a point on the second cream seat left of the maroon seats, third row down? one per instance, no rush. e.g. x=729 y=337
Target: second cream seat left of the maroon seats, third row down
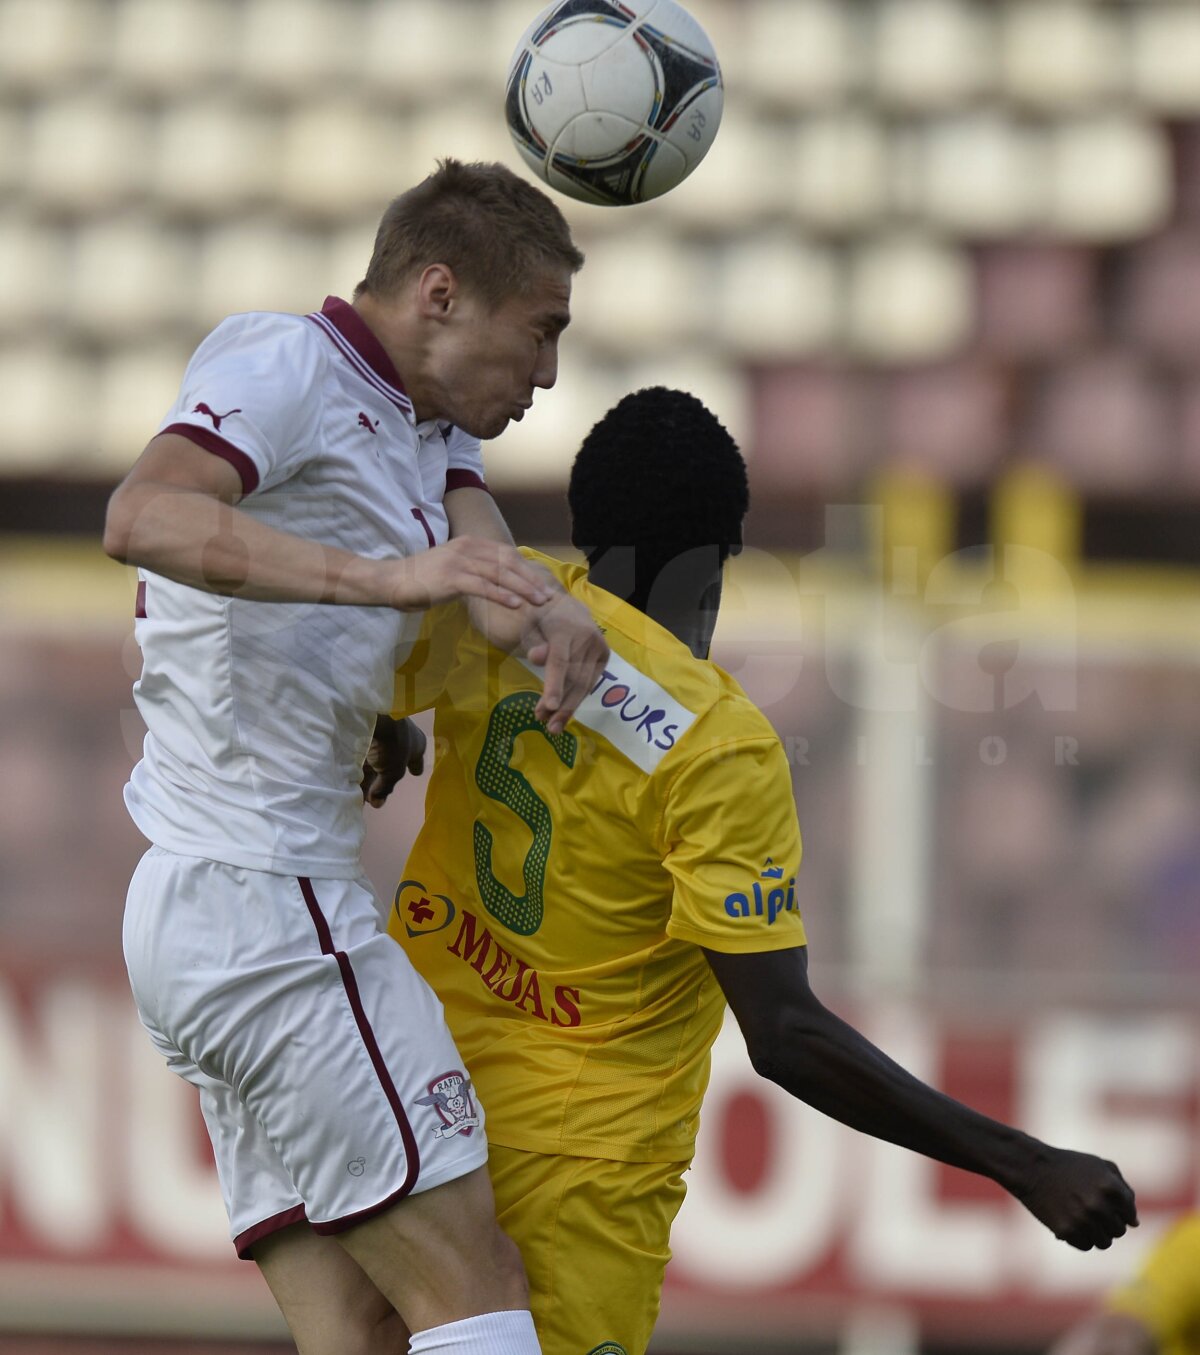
x=777 y=297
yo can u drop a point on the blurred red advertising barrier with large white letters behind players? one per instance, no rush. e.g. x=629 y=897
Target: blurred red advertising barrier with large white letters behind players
x=110 y=1212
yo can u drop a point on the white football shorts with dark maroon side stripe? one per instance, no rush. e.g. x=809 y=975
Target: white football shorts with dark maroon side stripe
x=328 y=1081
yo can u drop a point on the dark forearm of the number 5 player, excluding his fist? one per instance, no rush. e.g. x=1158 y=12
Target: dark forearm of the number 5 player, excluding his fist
x=835 y=1070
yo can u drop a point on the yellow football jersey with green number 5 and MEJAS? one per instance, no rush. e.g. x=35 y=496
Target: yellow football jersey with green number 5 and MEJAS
x=563 y=885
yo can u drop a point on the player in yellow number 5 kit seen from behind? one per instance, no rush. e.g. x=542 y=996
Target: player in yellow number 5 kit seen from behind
x=586 y=904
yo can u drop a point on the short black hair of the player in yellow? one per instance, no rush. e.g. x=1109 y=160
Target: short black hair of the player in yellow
x=659 y=472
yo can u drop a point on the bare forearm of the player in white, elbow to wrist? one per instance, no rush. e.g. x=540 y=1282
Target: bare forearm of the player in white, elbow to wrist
x=212 y=545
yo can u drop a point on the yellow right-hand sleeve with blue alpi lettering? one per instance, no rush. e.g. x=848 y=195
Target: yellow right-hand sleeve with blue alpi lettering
x=732 y=846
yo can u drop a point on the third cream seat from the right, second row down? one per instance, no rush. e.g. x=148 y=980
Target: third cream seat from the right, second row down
x=839 y=174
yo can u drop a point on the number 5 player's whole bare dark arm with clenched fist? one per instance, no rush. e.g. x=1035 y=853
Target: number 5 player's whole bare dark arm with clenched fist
x=797 y=1043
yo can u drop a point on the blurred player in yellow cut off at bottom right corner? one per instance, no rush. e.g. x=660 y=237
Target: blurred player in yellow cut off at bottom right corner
x=1157 y=1312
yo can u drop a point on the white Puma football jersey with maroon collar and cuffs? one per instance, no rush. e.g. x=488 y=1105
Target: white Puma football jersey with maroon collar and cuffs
x=259 y=715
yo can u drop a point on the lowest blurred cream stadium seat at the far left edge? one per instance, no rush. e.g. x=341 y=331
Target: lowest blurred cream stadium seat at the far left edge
x=41 y=429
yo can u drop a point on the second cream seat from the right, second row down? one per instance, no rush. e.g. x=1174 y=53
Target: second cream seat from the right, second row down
x=981 y=175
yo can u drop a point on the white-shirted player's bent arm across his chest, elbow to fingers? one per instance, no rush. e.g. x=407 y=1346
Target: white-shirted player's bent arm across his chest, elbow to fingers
x=175 y=514
